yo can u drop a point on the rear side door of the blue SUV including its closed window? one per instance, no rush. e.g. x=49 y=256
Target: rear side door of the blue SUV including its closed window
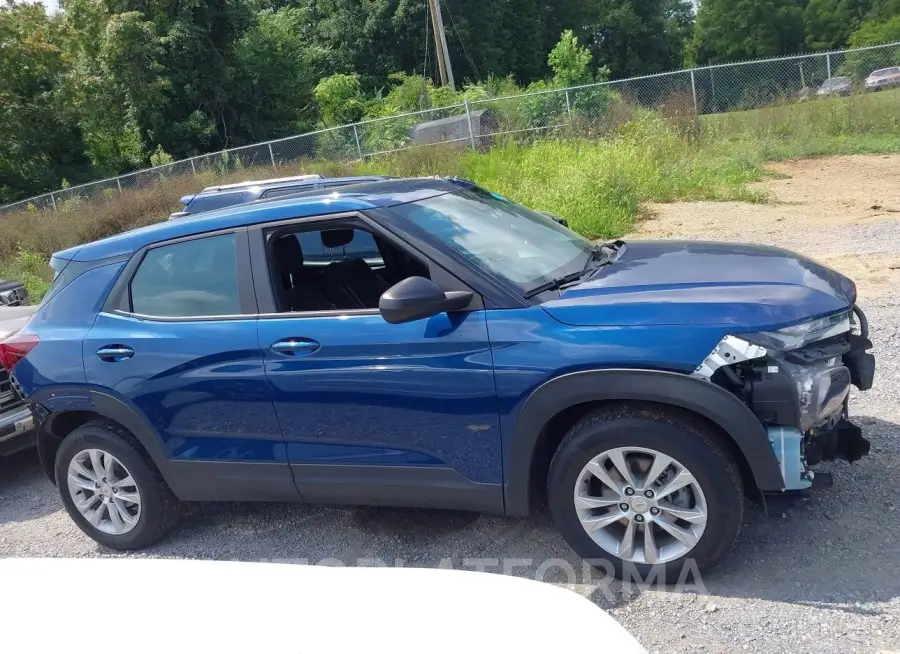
x=177 y=343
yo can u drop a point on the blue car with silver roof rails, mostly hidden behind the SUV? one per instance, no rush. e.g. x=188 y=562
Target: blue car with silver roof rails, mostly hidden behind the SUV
x=226 y=195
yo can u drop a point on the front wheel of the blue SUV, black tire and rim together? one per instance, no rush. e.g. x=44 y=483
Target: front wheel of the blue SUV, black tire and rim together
x=649 y=490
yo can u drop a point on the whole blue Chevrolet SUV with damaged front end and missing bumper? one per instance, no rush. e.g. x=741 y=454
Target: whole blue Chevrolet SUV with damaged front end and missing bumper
x=486 y=359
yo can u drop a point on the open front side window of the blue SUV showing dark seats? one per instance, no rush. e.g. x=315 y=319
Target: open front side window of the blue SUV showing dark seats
x=336 y=269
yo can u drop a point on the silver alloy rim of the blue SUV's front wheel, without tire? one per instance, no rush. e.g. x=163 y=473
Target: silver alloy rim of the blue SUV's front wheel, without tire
x=640 y=505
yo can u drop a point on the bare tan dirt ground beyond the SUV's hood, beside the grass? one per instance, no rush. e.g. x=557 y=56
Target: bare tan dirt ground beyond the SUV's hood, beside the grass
x=843 y=211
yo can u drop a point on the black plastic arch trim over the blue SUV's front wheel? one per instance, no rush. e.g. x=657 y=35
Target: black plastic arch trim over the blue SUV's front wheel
x=662 y=387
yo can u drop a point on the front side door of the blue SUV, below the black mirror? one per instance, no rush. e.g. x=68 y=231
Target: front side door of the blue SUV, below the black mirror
x=379 y=413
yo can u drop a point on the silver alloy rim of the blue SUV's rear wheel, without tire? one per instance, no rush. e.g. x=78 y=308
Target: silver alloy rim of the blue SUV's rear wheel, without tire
x=104 y=492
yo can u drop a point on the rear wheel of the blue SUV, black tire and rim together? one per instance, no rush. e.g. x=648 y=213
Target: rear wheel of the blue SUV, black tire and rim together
x=111 y=489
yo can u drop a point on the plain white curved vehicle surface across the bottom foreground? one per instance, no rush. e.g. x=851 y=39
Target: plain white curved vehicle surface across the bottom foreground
x=174 y=606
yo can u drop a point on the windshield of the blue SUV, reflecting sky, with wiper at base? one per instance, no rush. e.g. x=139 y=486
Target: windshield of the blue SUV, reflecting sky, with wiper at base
x=505 y=239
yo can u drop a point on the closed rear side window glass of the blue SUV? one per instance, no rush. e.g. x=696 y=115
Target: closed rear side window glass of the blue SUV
x=192 y=278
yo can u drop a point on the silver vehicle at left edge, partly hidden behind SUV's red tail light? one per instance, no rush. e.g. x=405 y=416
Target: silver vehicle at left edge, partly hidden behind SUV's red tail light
x=16 y=420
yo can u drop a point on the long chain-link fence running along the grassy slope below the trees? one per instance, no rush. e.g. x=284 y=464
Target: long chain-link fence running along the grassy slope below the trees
x=590 y=110
